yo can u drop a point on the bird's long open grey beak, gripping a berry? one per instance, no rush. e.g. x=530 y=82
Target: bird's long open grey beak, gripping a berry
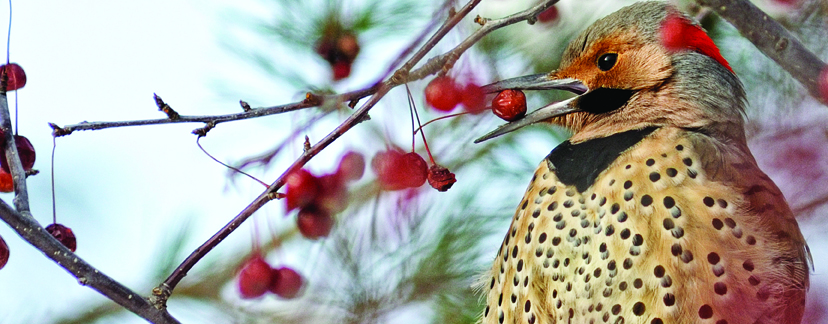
x=536 y=82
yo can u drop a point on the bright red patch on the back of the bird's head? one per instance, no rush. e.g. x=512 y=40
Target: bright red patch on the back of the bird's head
x=678 y=33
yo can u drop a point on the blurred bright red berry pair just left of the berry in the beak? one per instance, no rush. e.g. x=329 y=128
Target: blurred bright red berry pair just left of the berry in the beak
x=444 y=94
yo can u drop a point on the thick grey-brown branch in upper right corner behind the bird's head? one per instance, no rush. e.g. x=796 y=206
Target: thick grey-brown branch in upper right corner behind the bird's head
x=773 y=40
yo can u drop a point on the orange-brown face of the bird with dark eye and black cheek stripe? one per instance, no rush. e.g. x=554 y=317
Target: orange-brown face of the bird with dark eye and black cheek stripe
x=619 y=69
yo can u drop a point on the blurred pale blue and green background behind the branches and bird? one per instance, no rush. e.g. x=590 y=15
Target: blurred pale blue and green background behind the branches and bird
x=140 y=199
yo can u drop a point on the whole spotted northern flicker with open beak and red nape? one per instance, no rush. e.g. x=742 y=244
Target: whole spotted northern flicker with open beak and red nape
x=654 y=211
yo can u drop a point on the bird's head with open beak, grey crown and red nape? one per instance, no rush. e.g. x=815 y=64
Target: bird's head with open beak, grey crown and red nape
x=642 y=66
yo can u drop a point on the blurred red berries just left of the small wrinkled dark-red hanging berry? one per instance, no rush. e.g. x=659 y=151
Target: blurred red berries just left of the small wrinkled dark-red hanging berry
x=397 y=171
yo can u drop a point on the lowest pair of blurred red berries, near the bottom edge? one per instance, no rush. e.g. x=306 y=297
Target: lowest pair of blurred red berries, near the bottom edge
x=256 y=278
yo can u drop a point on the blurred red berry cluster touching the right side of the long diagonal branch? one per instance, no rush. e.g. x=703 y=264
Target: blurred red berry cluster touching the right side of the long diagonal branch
x=318 y=198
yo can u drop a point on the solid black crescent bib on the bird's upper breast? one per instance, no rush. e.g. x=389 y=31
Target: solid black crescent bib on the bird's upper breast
x=579 y=164
